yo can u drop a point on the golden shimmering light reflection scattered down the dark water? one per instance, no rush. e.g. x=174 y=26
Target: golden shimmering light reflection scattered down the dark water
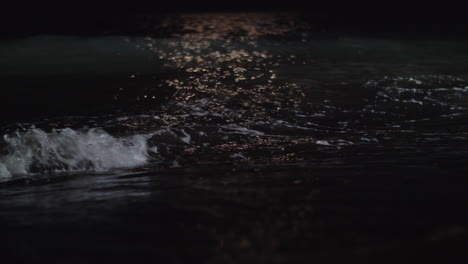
x=225 y=77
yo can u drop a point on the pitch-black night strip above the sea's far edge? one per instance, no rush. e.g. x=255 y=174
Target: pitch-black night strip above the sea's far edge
x=22 y=18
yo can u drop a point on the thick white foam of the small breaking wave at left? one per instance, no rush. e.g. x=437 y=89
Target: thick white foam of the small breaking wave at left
x=68 y=150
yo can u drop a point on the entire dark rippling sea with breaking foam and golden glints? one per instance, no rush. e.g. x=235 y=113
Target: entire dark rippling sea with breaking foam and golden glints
x=234 y=138
